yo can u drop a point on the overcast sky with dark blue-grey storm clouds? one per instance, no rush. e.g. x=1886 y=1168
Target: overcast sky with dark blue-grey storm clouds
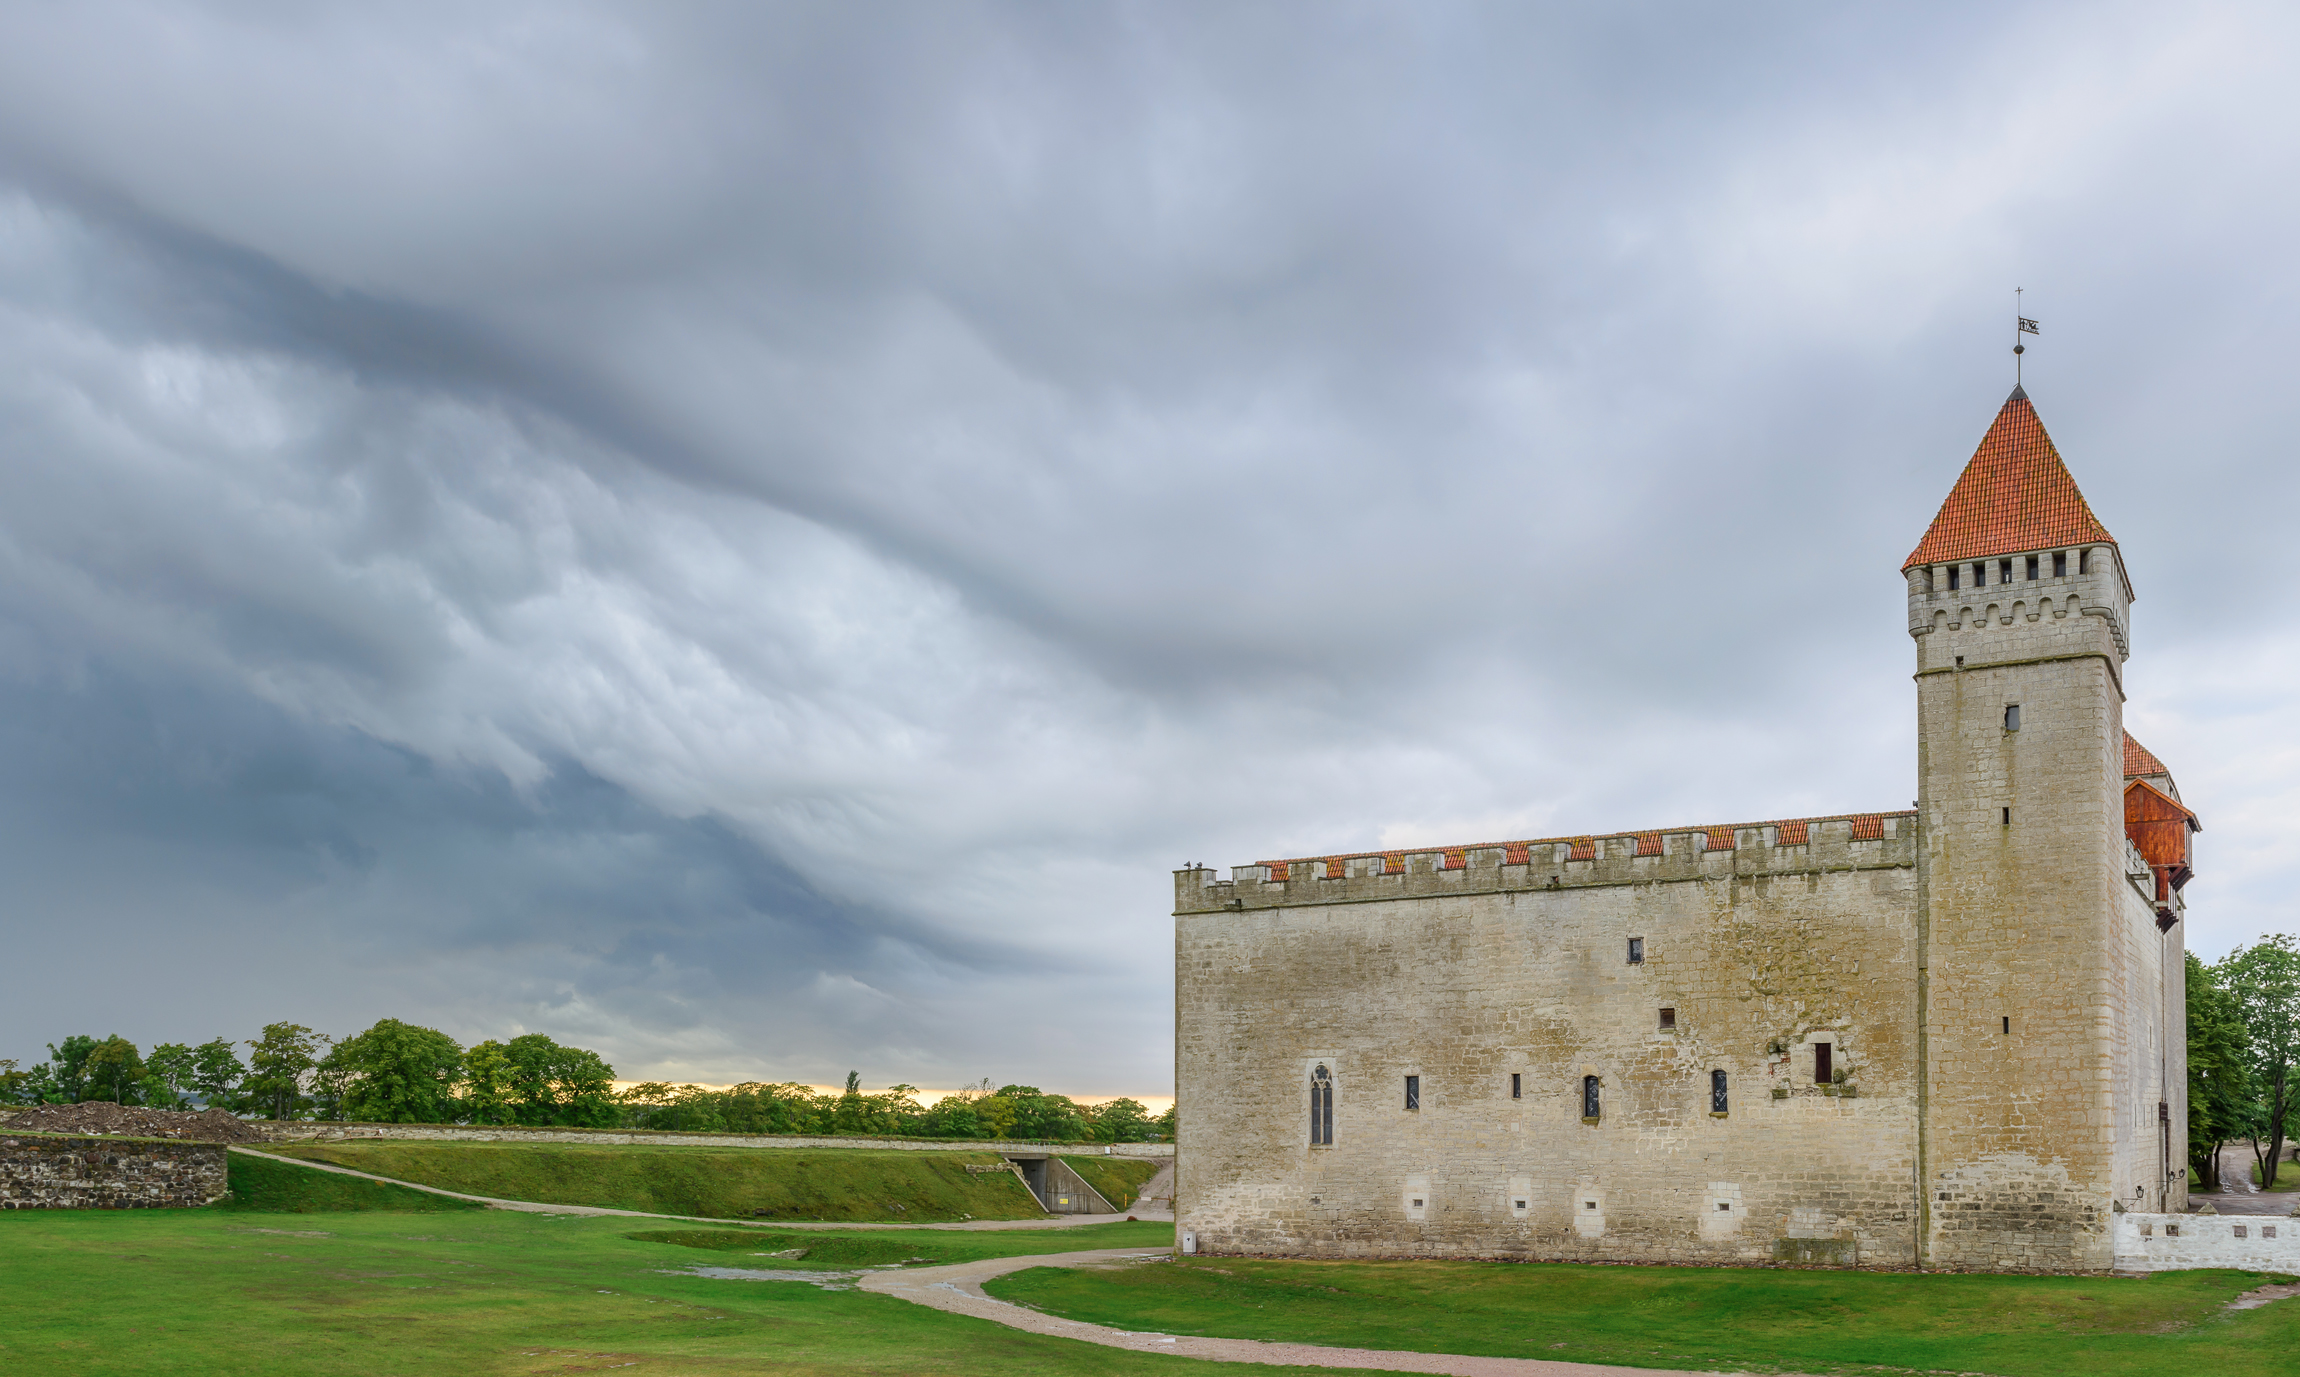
x=756 y=539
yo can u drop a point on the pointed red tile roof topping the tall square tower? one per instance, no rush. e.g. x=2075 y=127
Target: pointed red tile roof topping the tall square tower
x=2014 y=498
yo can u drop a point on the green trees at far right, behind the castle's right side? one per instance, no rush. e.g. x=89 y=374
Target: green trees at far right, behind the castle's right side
x=2244 y=1056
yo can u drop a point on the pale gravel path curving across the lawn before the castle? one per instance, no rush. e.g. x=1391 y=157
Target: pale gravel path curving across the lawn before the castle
x=960 y=1291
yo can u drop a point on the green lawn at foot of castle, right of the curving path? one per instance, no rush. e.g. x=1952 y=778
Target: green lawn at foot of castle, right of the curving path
x=1701 y=1316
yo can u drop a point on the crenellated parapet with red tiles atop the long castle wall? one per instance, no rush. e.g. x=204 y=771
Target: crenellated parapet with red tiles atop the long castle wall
x=1777 y=847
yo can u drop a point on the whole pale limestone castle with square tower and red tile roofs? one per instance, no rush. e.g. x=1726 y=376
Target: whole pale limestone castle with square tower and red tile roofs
x=1945 y=1038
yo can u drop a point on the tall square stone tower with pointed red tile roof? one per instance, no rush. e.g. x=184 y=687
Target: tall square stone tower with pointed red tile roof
x=2041 y=978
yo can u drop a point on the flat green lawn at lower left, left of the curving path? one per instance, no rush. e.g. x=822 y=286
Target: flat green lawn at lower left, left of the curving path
x=185 y=1293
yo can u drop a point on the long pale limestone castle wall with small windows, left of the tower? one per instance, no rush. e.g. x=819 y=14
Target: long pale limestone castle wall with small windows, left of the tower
x=1501 y=987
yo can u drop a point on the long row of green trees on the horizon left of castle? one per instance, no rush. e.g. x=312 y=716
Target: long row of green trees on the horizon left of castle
x=406 y=1075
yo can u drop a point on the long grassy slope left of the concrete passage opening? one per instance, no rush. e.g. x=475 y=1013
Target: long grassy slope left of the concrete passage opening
x=712 y=1183
